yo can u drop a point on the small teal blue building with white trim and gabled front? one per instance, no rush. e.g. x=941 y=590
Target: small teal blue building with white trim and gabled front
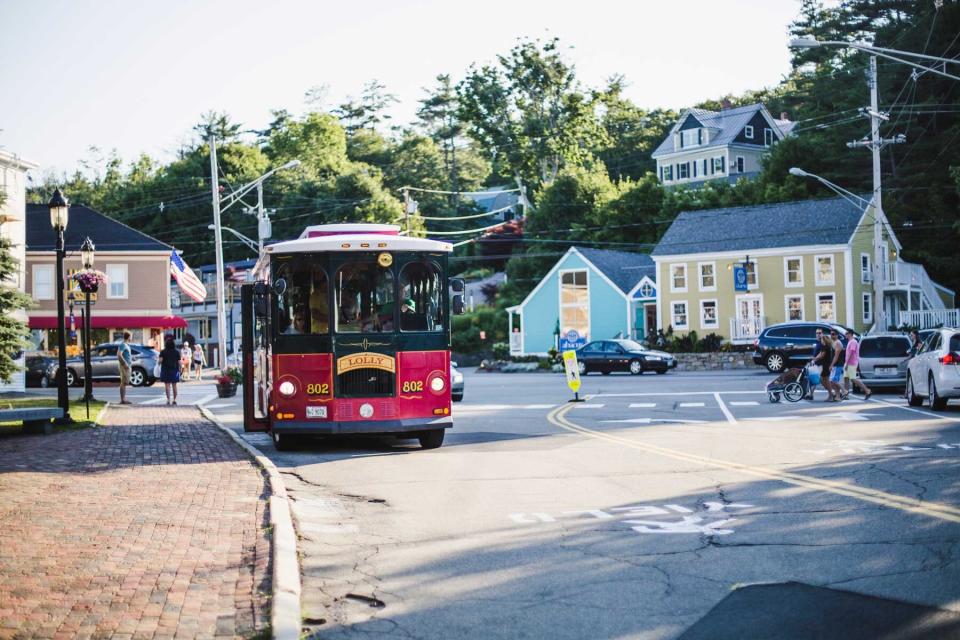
x=590 y=294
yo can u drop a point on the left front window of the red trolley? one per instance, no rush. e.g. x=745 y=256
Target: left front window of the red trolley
x=303 y=308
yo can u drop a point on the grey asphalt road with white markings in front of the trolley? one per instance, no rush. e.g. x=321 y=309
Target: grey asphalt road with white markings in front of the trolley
x=644 y=512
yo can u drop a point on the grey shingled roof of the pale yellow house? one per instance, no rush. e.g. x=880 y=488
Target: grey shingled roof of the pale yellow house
x=784 y=224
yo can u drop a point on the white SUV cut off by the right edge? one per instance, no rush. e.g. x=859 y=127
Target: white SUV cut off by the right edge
x=934 y=373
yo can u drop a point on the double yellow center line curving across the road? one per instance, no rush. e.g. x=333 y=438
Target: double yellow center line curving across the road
x=937 y=510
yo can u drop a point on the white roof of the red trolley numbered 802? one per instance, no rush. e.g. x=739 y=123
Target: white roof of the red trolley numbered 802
x=356 y=237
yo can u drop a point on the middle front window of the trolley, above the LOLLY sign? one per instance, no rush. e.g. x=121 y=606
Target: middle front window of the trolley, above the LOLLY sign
x=364 y=298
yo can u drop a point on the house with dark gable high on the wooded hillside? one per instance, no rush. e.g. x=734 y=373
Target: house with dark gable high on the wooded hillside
x=718 y=145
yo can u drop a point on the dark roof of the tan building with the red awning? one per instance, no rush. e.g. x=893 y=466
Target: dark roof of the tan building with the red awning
x=107 y=234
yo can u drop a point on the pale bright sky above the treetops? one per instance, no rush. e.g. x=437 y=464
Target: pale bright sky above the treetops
x=136 y=76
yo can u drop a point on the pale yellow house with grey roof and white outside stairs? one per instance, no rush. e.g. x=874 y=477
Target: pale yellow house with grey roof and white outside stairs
x=800 y=261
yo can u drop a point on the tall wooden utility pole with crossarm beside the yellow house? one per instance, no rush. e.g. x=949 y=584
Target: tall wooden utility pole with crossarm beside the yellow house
x=875 y=143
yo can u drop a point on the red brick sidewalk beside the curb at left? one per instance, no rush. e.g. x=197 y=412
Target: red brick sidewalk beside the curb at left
x=152 y=526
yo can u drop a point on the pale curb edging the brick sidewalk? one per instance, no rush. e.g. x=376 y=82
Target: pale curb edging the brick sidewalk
x=285 y=620
